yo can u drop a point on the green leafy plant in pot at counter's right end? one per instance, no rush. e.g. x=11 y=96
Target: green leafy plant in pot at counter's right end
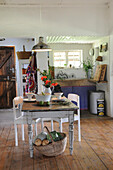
x=87 y=66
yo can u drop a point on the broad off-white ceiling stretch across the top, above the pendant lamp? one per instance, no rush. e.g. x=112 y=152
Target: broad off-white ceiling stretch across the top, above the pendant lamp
x=34 y=18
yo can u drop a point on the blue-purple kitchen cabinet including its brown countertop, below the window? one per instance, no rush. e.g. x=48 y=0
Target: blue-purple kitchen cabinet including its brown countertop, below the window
x=80 y=87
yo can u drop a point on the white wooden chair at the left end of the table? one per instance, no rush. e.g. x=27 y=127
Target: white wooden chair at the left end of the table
x=19 y=118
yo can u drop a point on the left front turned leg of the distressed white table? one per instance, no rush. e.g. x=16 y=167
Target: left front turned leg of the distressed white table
x=30 y=134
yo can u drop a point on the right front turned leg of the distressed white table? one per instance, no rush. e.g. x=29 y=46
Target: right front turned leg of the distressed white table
x=71 y=133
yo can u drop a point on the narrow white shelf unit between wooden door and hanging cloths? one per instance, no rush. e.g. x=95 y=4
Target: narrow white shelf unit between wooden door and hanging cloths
x=23 y=64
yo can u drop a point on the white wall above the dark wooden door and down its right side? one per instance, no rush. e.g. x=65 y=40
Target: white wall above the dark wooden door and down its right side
x=18 y=43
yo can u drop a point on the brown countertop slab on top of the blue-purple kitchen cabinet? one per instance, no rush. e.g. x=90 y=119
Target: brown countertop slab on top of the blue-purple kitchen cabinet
x=74 y=82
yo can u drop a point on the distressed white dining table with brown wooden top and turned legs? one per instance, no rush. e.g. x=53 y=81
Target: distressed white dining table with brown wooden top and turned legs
x=55 y=110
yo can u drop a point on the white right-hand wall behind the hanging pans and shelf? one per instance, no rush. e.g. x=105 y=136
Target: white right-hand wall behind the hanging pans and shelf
x=104 y=86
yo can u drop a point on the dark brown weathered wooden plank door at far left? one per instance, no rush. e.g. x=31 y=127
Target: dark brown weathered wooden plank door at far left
x=7 y=77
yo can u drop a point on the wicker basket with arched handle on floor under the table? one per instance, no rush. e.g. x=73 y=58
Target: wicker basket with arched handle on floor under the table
x=54 y=148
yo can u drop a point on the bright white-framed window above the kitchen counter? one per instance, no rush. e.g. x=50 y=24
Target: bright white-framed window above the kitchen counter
x=68 y=58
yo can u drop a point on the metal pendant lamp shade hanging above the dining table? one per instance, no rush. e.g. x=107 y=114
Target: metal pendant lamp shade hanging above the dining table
x=41 y=46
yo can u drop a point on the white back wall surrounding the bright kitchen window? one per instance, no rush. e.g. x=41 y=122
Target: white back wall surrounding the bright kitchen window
x=78 y=73
